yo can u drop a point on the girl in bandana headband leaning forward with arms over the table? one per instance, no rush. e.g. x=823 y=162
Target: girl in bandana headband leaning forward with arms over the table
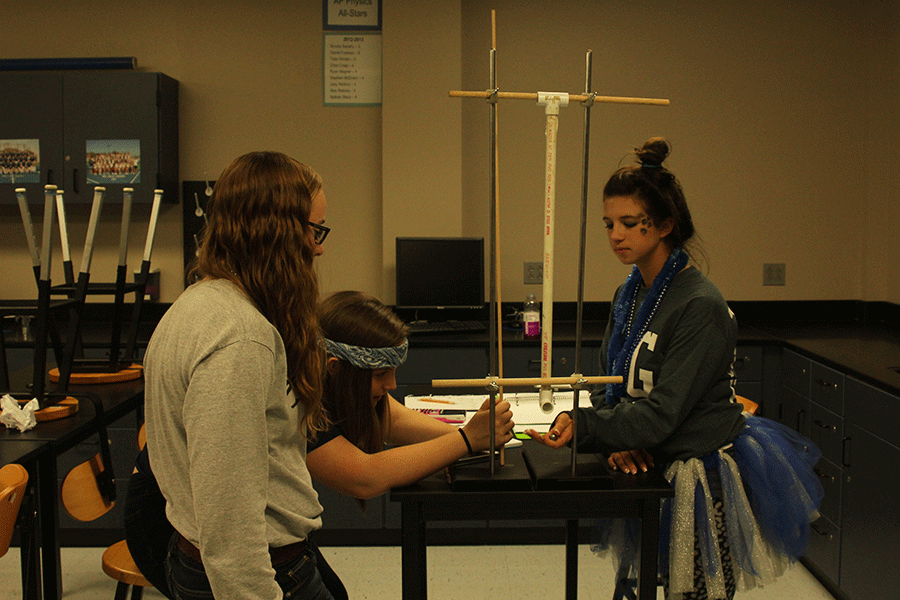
x=365 y=342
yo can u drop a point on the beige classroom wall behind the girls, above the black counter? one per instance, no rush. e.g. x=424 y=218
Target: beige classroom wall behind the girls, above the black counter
x=783 y=121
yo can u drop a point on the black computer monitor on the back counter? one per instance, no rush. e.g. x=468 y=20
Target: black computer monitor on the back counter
x=440 y=273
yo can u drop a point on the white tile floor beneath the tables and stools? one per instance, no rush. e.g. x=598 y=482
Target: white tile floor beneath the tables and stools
x=499 y=573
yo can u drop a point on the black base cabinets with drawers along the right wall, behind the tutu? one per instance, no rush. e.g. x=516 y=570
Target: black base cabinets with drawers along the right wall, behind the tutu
x=853 y=545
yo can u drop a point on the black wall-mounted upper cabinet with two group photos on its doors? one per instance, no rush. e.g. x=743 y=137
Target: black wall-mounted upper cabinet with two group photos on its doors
x=80 y=129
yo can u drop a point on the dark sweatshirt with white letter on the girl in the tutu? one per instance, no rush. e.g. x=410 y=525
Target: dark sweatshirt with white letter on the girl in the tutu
x=680 y=401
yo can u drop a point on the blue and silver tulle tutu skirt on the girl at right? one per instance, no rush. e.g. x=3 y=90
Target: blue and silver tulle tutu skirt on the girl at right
x=770 y=495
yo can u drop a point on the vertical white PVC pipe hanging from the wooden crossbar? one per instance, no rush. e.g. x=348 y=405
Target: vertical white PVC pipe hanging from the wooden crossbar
x=551 y=101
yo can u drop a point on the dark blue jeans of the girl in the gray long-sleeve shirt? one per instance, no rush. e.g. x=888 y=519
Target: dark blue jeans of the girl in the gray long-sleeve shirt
x=298 y=578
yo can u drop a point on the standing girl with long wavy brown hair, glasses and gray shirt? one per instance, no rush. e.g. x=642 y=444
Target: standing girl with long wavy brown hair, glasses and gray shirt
x=233 y=390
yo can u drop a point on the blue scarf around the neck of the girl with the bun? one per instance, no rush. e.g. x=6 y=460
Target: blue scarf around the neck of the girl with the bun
x=628 y=328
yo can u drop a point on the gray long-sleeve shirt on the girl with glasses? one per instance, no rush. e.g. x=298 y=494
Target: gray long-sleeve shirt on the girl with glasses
x=225 y=443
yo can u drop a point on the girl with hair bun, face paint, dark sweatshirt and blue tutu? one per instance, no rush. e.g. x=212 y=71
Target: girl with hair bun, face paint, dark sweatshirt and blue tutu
x=745 y=491
